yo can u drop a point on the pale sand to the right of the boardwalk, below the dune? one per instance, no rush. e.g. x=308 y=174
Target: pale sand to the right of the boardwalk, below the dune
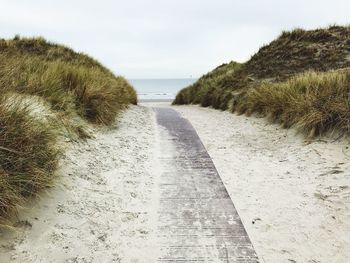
x=296 y=194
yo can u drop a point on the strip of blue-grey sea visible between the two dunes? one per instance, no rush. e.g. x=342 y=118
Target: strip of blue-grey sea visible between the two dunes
x=159 y=89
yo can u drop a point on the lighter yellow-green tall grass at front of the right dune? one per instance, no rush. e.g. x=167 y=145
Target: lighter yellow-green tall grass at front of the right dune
x=314 y=102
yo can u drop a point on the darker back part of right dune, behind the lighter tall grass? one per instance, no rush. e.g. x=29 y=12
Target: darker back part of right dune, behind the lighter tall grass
x=290 y=54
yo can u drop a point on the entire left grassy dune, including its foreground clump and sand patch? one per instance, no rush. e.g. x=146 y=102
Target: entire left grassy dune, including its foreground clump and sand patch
x=72 y=86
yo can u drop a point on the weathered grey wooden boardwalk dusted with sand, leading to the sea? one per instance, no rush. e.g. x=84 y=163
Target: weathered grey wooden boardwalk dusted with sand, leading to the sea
x=197 y=219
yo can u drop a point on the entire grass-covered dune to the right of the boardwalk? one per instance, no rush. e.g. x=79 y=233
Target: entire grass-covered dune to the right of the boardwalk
x=300 y=79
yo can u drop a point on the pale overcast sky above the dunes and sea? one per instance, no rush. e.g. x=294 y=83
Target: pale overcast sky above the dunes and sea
x=166 y=38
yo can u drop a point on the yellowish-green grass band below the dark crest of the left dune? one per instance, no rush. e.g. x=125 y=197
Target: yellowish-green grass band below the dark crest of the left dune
x=94 y=94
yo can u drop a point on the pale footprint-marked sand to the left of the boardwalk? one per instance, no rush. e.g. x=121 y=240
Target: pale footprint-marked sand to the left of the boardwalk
x=103 y=208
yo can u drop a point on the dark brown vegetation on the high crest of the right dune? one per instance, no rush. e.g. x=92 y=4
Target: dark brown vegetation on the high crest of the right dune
x=301 y=50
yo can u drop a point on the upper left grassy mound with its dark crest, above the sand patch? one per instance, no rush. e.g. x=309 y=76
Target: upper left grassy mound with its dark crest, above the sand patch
x=69 y=81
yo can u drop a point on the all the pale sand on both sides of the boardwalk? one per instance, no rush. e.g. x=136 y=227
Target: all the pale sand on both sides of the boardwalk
x=292 y=195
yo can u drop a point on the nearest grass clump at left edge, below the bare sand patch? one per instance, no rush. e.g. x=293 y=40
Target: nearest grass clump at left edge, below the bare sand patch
x=28 y=154
